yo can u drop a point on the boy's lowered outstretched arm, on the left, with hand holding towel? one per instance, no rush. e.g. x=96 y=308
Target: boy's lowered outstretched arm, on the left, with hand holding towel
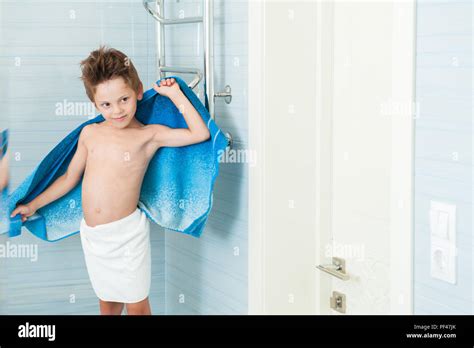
x=61 y=185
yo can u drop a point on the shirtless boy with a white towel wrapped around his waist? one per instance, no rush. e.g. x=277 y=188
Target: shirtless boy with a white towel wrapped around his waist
x=113 y=156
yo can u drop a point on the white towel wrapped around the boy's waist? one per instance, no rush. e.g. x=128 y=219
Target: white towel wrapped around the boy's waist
x=118 y=258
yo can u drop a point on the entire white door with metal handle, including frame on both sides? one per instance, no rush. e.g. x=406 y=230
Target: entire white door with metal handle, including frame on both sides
x=330 y=89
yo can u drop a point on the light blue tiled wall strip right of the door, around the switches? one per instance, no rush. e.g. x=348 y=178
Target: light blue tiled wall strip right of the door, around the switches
x=443 y=147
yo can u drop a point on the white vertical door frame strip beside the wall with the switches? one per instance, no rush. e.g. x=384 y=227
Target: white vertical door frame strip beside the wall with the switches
x=403 y=150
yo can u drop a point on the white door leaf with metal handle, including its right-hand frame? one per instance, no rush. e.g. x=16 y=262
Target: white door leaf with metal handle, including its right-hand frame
x=365 y=163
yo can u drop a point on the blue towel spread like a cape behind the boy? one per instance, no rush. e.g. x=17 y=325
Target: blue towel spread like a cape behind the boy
x=177 y=188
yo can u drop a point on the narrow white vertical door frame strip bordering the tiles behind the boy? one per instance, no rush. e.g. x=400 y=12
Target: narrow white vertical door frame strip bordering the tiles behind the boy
x=256 y=112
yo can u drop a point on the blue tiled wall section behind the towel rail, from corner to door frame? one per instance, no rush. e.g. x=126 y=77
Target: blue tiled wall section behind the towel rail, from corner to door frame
x=209 y=275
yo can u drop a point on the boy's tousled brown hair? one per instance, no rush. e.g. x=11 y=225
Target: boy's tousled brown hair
x=105 y=64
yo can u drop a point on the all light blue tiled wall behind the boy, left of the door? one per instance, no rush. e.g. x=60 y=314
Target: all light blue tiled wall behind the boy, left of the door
x=42 y=45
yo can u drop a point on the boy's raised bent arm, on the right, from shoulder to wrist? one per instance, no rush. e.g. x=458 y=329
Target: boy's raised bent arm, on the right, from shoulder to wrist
x=196 y=132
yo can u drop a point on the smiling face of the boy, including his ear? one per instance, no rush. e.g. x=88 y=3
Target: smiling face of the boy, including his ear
x=117 y=102
